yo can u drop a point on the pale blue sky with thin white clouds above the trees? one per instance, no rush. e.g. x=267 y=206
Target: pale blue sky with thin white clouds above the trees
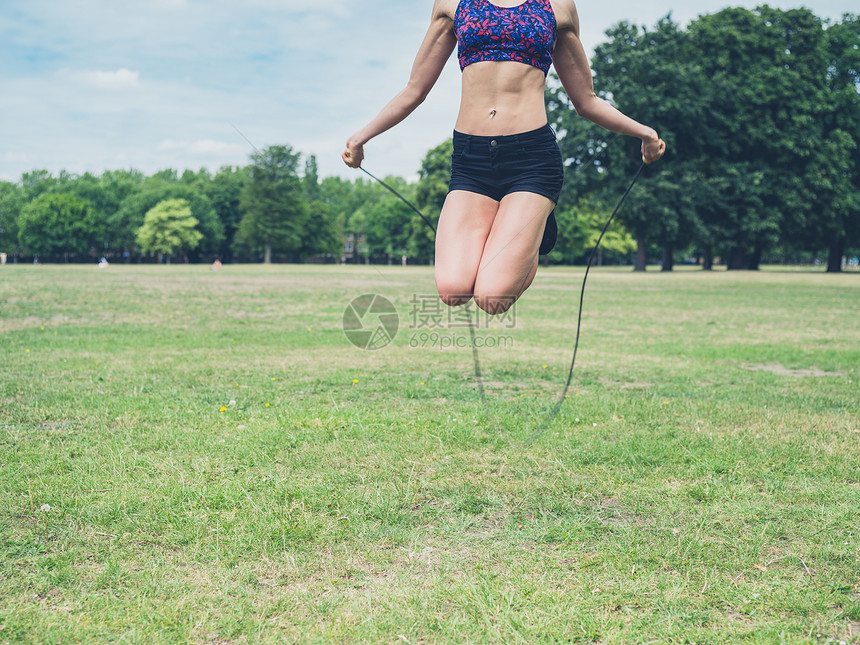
x=92 y=85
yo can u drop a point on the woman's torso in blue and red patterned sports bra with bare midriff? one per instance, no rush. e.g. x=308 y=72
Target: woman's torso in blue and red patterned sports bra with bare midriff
x=505 y=48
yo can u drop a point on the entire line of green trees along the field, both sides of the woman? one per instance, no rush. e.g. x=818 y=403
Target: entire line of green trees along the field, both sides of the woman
x=760 y=110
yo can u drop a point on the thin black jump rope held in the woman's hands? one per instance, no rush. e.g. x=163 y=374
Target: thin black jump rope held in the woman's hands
x=553 y=413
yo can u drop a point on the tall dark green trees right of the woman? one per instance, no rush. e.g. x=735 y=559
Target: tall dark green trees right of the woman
x=761 y=113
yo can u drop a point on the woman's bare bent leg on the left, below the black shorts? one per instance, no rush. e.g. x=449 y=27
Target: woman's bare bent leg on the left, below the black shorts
x=464 y=226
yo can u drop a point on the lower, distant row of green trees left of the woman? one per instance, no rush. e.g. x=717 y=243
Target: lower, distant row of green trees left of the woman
x=276 y=208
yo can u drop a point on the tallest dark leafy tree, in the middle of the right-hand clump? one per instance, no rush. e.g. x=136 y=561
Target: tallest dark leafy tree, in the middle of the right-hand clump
x=767 y=79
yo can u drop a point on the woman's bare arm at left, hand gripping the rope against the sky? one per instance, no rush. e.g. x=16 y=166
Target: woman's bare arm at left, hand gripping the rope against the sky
x=431 y=58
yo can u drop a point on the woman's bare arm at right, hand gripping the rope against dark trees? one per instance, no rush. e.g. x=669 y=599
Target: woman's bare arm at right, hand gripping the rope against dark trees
x=571 y=65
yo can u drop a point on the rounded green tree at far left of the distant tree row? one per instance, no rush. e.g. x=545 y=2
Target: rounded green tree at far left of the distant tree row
x=58 y=225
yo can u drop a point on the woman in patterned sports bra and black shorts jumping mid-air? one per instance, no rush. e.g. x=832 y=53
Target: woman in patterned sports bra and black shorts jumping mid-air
x=507 y=170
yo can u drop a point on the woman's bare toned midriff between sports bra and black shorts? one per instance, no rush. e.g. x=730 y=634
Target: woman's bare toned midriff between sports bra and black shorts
x=501 y=98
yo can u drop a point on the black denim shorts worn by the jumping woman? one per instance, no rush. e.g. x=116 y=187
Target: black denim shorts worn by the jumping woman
x=497 y=166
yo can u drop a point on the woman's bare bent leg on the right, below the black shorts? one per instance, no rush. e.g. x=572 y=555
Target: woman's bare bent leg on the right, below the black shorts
x=510 y=256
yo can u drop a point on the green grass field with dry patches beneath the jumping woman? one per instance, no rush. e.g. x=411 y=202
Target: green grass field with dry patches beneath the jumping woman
x=189 y=456
